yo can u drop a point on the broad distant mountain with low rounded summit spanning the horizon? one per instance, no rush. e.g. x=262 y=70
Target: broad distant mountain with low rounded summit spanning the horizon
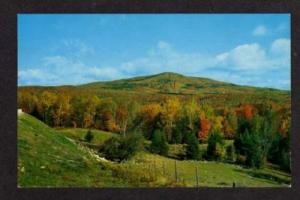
x=155 y=87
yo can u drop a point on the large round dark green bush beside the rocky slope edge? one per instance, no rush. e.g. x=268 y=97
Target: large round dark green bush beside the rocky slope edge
x=122 y=148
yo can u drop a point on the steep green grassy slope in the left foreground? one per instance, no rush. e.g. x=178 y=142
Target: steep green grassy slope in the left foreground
x=47 y=158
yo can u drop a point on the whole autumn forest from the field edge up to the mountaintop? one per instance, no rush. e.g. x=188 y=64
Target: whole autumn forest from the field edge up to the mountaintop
x=170 y=109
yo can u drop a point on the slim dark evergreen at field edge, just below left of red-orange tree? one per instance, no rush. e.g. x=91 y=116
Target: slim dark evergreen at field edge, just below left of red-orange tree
x=192 y=148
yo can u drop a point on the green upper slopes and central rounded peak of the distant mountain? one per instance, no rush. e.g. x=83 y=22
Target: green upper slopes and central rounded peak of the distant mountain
x=169 y=82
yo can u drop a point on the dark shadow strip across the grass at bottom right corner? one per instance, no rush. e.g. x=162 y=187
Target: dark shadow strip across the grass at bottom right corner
x=265 y=176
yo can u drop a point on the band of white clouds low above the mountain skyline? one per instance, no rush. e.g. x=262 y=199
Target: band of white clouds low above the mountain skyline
x=245 y=64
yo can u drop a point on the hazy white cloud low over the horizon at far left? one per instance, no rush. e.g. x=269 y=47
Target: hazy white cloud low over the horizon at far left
x=59 y=70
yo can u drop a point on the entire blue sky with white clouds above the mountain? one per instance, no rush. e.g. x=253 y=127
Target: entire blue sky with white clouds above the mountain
x=63 y=49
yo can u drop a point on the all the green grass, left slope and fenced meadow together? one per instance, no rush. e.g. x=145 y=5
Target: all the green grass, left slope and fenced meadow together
x=57 y=158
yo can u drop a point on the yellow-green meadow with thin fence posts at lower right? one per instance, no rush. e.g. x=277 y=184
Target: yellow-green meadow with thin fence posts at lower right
x=213 y=174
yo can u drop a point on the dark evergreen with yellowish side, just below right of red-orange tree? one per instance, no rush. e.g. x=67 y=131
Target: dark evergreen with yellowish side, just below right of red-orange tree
x=215 y=147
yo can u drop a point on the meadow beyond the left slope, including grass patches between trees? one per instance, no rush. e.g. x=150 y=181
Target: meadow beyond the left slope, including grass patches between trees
x=212 y=174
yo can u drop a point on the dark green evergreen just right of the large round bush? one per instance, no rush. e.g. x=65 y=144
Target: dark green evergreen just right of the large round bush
x=159 y=143
